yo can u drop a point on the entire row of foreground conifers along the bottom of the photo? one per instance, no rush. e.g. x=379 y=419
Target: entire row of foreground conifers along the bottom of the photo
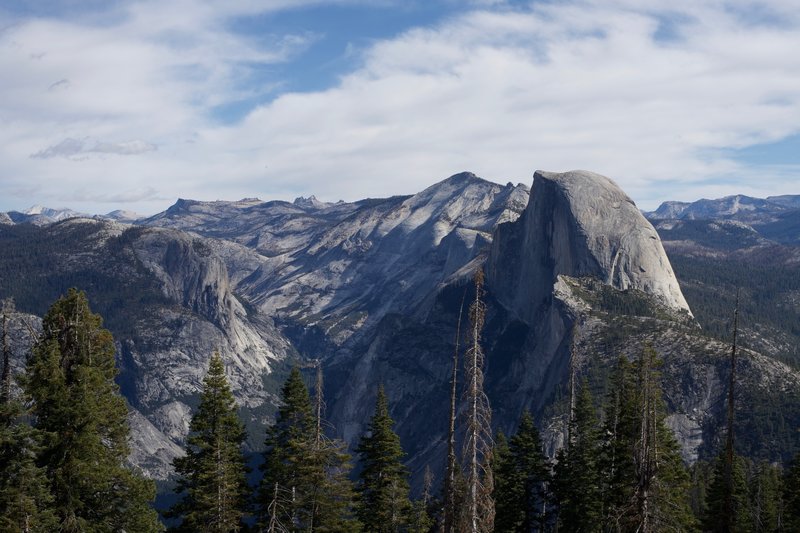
x=63 y=445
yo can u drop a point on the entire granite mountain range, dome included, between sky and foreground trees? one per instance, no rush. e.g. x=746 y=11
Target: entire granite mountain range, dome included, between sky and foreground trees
x=575 y=277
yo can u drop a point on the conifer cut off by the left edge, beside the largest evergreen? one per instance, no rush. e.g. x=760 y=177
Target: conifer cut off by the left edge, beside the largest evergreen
x=25 y=499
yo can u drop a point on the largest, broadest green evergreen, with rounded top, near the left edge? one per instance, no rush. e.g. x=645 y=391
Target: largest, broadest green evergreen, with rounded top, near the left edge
x=78 y=406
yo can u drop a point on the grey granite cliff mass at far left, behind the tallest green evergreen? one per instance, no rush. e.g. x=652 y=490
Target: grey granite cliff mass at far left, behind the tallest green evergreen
x=167 y=297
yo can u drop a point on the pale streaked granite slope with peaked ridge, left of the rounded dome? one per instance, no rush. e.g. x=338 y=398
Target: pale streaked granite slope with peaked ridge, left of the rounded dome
x=340 y=268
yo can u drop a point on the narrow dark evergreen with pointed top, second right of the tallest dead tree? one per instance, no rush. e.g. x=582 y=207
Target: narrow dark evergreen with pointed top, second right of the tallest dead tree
x=577 y=472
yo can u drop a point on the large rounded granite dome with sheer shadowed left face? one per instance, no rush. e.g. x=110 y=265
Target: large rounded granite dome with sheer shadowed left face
x=578 y=224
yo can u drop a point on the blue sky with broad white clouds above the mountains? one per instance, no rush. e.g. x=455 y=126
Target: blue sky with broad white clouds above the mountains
x=131 y=104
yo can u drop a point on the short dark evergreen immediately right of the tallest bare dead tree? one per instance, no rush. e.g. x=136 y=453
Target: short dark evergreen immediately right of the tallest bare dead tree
x=521 y=481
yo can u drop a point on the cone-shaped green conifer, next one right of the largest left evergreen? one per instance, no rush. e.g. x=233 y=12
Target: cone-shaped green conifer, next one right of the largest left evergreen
x=212 y=474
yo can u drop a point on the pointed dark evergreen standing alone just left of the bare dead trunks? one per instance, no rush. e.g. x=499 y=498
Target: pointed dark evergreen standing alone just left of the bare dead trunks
x=383 y=487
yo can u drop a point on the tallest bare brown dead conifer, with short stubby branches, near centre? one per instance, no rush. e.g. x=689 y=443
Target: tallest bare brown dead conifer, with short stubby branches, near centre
x=479 y=506
